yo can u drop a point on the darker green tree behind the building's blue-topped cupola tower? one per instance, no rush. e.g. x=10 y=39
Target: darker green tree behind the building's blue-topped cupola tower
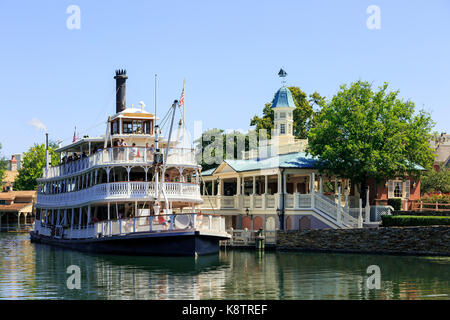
x=303 y=113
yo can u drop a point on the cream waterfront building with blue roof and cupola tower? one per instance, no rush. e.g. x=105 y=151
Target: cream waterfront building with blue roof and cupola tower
x=278 y=186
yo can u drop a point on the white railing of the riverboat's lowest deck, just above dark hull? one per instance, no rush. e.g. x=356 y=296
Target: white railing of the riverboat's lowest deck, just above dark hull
x=126 y=226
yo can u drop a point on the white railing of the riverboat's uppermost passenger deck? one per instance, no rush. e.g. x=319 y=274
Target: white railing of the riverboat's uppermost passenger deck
x=120 y=155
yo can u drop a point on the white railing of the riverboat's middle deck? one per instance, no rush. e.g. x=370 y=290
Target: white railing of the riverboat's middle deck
x=175 y=191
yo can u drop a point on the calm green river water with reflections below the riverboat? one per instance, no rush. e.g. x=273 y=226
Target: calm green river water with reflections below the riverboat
x=36 y=271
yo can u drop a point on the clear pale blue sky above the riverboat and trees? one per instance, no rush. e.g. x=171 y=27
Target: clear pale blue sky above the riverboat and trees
x=228 y=51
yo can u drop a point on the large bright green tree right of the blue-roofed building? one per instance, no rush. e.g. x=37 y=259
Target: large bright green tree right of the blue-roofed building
x=362 y=134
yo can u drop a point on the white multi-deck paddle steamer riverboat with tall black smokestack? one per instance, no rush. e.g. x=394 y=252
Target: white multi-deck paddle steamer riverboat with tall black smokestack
x=132 y=191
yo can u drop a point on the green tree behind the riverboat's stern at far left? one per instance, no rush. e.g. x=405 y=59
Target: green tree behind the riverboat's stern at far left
x=33 y=164
